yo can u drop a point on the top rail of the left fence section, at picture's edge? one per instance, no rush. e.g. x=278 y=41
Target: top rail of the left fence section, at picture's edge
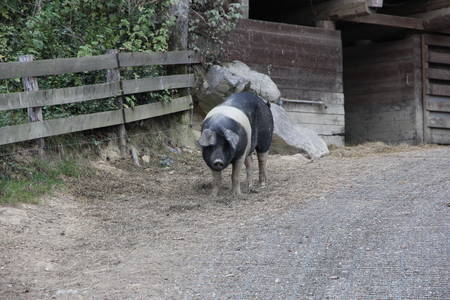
x=57 y=66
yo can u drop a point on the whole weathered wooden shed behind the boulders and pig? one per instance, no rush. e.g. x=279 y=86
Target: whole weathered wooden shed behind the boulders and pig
x=388 y=61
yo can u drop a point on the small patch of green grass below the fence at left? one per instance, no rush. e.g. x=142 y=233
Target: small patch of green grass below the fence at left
x=26 y=181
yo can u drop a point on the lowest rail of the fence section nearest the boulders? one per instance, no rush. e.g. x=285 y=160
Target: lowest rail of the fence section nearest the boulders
x=157 y=109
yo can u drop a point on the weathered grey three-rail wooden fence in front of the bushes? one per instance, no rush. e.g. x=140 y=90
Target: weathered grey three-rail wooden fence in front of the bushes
x=34 y=99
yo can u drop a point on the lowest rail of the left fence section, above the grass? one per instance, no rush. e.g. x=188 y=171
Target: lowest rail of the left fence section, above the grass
x=25 y=132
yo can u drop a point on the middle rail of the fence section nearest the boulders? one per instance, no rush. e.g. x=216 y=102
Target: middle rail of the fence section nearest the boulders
x=157 y=83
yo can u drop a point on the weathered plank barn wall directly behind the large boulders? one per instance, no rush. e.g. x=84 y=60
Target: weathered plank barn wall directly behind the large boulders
x=305 y=63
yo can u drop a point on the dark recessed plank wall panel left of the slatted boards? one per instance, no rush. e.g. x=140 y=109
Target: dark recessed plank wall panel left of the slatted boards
x=383 y=86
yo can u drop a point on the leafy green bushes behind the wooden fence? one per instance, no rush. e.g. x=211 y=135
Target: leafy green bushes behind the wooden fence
x=73 y=28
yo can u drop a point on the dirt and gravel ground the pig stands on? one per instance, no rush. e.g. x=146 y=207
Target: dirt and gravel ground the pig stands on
x=370 y=223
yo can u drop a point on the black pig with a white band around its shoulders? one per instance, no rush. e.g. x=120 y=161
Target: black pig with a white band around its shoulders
x=231 y=132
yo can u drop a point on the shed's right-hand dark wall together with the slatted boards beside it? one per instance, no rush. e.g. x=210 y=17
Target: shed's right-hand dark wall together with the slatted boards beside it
x=399 y=91
